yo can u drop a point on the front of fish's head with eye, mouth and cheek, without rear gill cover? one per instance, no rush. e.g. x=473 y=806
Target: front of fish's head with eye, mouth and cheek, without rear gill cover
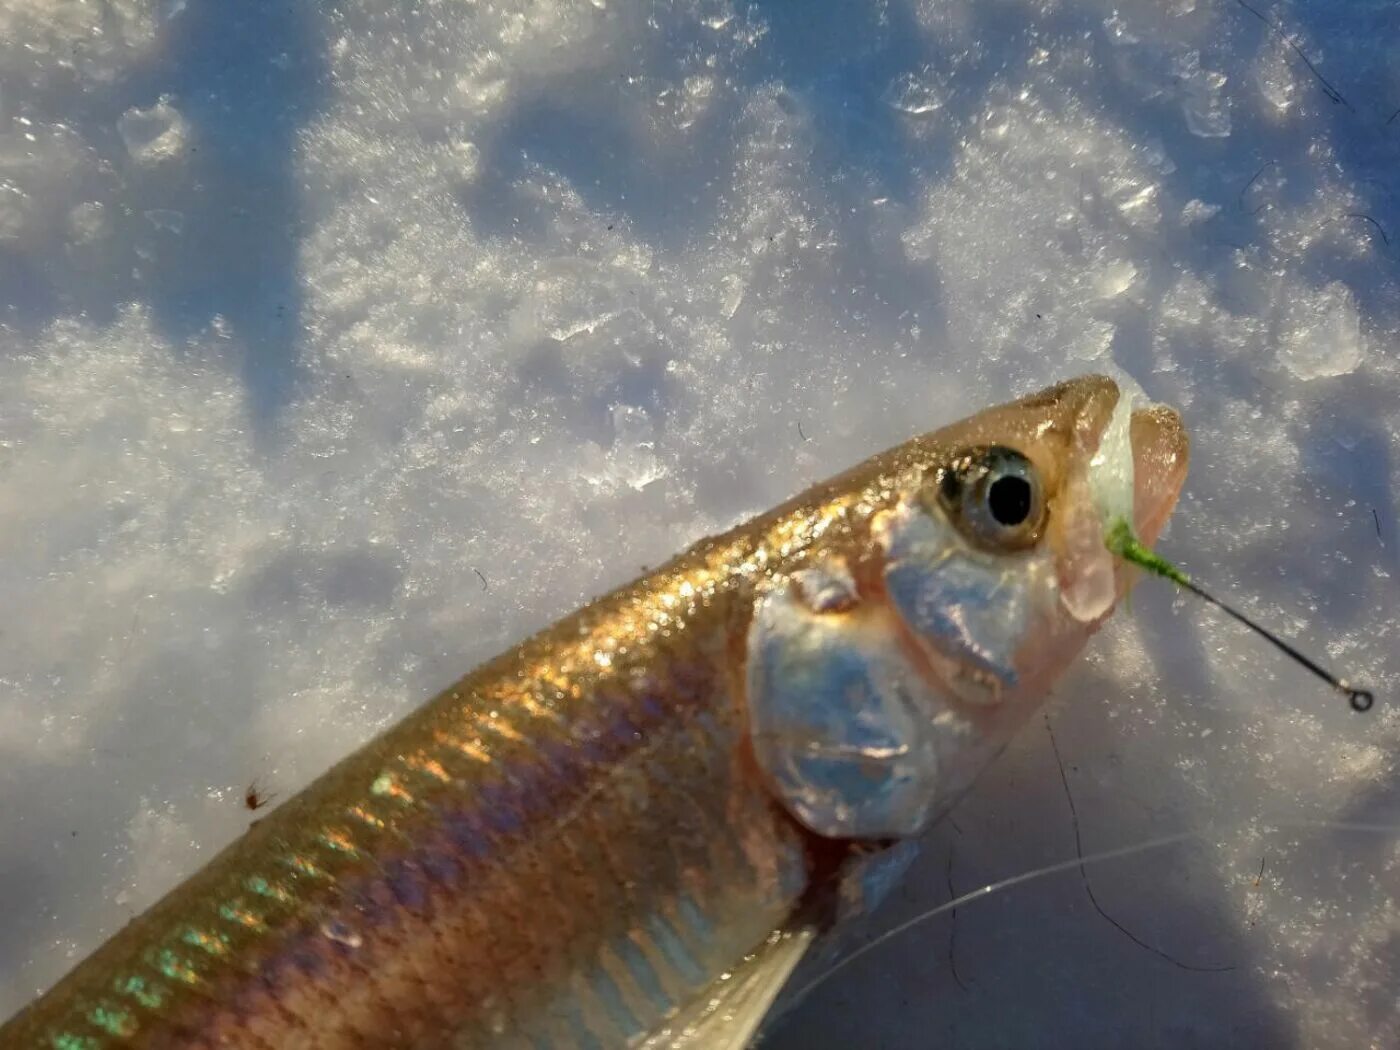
x=993 y=556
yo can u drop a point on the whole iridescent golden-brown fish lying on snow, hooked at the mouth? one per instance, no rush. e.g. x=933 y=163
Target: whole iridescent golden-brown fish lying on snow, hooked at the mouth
x=632 y=828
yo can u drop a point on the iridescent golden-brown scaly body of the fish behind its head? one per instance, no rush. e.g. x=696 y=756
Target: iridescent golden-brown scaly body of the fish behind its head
x=307 y=919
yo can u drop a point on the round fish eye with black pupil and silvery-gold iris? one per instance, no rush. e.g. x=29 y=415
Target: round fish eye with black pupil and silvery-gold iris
x=993 y=496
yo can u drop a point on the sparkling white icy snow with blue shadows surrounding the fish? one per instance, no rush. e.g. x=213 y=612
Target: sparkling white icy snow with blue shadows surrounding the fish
x=345 y=345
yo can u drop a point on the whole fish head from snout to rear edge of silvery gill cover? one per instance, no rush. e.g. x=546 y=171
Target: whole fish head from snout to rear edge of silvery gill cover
x=884 y=680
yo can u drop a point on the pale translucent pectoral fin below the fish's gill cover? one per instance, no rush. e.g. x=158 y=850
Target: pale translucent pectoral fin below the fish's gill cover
x=729 y=1014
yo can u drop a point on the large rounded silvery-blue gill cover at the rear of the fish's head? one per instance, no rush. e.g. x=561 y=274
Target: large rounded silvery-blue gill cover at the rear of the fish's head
x=842 y=722
